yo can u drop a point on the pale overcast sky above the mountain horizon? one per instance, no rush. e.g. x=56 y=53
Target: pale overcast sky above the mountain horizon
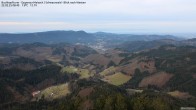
x=115 y=16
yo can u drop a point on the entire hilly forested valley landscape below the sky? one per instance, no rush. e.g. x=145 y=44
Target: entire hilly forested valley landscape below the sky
x=100 y=71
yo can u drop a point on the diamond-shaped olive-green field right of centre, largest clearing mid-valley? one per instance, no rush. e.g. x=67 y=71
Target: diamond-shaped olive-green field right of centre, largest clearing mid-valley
x=117 y=79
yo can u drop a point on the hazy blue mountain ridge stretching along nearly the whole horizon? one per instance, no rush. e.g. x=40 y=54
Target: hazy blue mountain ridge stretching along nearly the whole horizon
x=77 y=37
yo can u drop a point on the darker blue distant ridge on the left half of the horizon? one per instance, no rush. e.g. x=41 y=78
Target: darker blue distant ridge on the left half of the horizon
x=46 y=37
